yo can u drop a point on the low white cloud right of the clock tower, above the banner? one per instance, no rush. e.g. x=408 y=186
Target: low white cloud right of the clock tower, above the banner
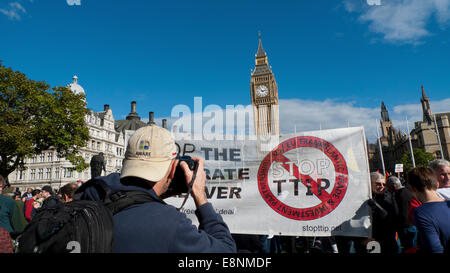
x=303 y=115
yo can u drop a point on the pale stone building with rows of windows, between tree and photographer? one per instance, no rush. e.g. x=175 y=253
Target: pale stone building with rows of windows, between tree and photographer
x=48 y=169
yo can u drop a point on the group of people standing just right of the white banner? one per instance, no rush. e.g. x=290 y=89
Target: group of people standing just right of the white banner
x=413 y=214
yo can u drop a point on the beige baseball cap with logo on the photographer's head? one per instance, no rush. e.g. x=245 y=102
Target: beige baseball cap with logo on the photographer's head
x=149 y=153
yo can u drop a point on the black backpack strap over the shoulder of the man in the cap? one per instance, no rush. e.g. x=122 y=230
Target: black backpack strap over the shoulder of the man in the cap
x=123 y=199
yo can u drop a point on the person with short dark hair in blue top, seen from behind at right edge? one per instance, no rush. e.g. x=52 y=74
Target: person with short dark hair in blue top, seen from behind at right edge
x=432 y=218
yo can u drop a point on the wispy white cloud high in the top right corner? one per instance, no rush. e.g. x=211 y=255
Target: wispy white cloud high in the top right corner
x=402 y=21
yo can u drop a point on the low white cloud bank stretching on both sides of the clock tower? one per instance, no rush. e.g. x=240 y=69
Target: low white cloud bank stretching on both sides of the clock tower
x=298 y=115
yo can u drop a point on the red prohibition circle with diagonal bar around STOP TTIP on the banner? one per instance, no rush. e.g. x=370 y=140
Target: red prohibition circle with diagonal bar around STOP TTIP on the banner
x=329 y=200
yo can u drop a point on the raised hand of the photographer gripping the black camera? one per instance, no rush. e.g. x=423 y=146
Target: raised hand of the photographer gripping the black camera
x=198 y=188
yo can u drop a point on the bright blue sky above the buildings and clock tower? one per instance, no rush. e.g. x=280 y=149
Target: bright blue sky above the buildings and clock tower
x=340 y=57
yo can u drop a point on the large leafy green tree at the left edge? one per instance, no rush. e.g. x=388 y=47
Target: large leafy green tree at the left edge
x=35 y=117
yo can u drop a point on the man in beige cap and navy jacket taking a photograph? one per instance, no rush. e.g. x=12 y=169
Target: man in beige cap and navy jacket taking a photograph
x=156 y=227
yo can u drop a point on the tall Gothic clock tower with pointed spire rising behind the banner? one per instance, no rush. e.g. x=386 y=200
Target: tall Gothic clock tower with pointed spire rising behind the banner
x=264 y=93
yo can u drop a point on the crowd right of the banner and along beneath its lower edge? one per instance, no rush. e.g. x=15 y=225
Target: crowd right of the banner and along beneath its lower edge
x=409 y=215
